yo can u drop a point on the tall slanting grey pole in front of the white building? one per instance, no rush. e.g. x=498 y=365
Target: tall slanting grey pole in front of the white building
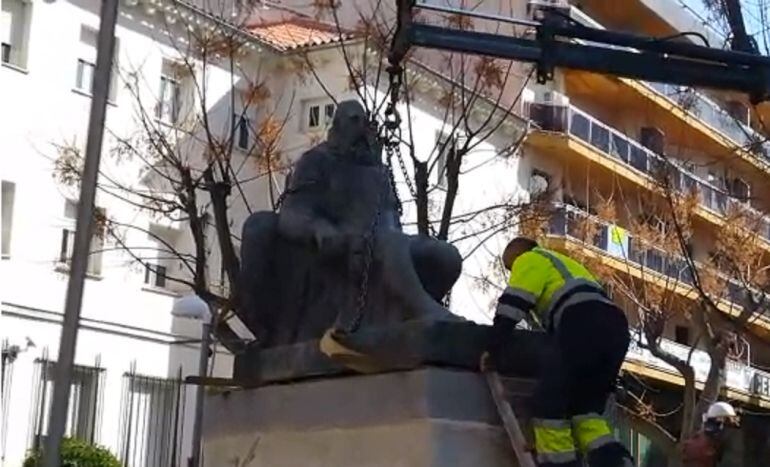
x=83 y=232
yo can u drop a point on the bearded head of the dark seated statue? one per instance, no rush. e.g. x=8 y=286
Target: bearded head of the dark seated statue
x=351 y=136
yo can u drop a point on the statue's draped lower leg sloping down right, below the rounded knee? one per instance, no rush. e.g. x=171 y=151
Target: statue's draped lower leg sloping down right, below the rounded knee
x=393 y=251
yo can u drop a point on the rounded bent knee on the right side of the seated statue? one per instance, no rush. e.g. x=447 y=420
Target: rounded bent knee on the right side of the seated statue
x=438 y=264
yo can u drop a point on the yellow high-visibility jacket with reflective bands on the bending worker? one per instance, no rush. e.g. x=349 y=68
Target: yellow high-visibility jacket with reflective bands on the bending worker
x=547 y=282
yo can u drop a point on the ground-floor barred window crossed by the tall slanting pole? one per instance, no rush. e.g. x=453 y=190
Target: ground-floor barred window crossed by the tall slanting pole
x=84 y=407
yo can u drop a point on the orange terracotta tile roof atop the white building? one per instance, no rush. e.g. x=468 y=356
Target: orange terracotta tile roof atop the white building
x=297 y=33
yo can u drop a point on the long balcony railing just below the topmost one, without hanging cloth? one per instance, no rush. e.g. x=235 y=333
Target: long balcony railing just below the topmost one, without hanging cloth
x=619 y=147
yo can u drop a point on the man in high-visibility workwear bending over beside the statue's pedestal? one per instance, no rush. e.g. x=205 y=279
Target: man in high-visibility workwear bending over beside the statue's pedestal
x=587 y=342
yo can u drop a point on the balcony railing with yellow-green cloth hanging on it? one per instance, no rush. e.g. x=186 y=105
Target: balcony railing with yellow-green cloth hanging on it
x=569 y=221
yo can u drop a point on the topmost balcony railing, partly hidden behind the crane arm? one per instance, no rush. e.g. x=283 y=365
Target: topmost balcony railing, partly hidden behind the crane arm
x=695 y=102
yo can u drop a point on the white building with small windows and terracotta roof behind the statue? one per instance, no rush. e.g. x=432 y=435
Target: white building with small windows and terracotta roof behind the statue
x=131 y=352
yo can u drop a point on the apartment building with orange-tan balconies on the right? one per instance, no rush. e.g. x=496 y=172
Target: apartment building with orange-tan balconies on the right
x=606 y=138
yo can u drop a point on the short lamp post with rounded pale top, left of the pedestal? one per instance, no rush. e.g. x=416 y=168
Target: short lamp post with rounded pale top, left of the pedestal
x=194 y=307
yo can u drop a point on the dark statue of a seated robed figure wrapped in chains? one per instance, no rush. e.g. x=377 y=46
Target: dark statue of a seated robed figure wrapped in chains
x=302 y=267
